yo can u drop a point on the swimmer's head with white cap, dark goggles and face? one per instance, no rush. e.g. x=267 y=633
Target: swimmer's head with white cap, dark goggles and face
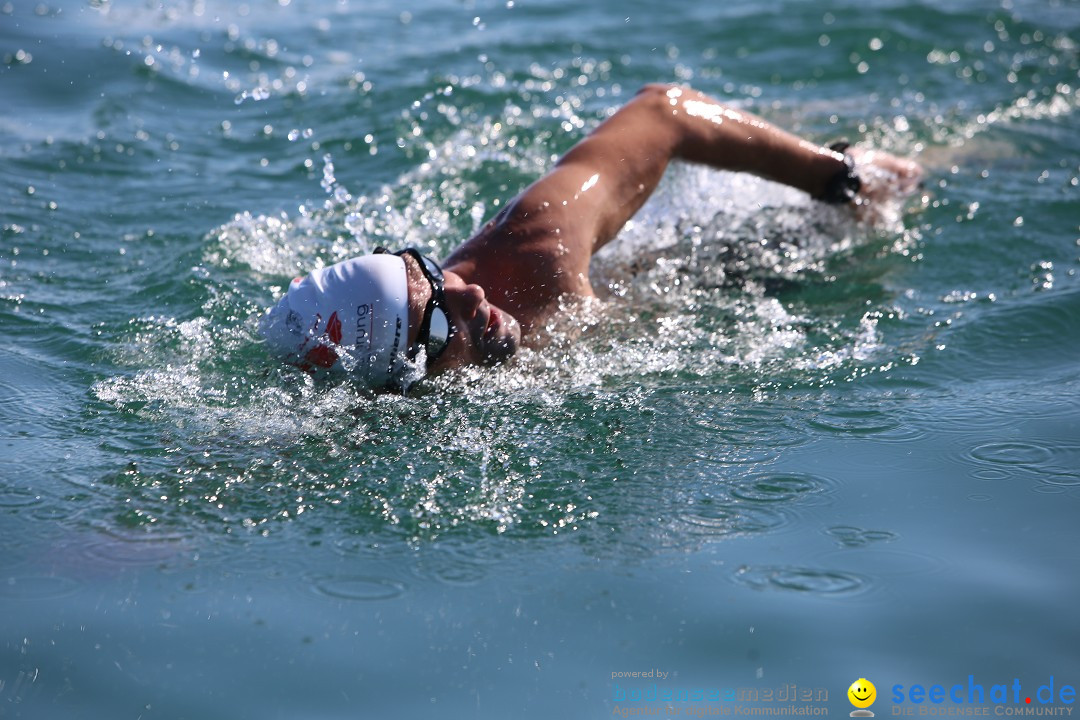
x=388 y=320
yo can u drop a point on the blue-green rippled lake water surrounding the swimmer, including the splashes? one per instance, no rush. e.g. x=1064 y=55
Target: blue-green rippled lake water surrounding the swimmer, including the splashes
x=788 y=450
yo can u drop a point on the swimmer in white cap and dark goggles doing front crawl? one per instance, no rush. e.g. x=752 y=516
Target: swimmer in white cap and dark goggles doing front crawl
x=393 y=318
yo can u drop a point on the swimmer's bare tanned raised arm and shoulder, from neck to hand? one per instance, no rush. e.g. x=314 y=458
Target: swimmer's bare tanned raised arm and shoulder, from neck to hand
x=538 y=249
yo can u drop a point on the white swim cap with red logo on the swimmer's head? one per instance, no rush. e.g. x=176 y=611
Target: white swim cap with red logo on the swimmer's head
x=352 y=317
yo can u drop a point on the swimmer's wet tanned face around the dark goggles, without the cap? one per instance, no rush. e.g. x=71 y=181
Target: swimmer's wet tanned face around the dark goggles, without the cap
x=484 y=335
